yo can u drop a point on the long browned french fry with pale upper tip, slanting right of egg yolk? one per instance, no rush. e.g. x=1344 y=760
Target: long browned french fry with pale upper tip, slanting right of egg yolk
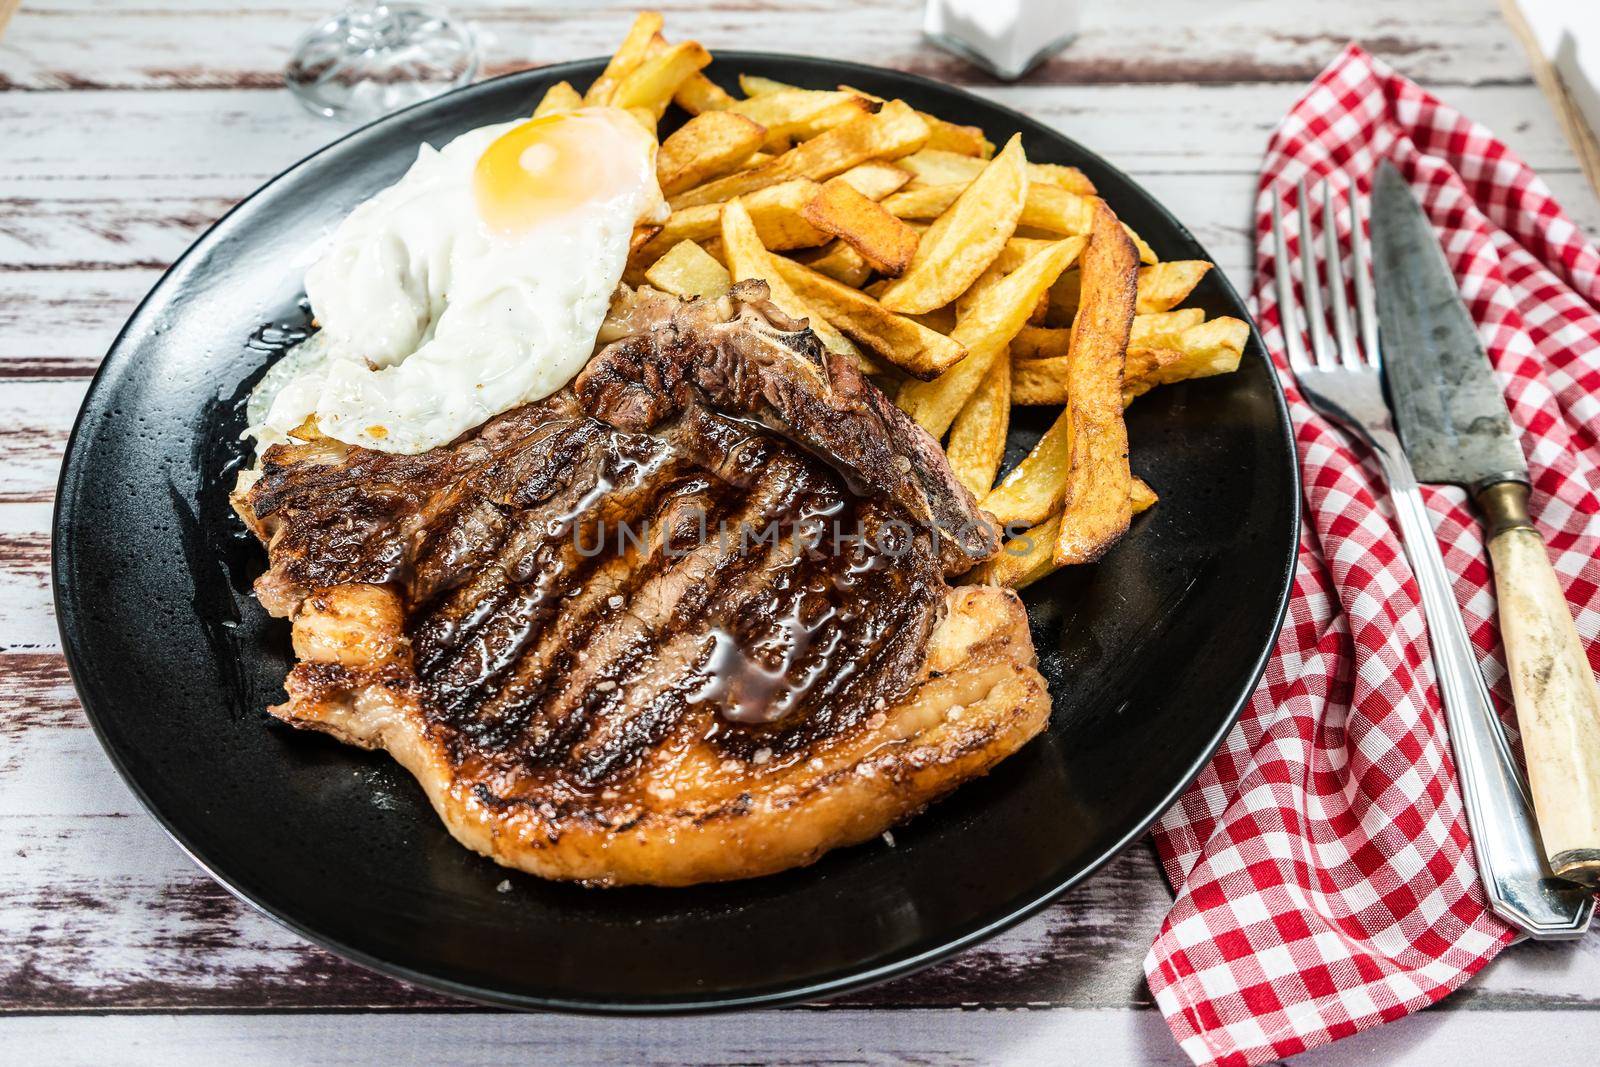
x=894 y=132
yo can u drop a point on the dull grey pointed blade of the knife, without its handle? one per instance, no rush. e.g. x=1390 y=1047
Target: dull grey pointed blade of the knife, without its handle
x=1442 y=390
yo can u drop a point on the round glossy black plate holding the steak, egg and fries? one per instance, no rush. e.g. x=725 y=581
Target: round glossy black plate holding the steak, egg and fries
x=1150 y=653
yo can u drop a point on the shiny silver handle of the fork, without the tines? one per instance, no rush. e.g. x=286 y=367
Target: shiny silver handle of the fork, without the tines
x=1505 y=834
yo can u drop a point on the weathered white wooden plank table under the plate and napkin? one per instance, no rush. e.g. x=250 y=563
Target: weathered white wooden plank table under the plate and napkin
x=126 y=129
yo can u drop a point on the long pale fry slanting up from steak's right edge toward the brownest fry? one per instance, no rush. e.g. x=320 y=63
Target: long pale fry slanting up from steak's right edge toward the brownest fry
x=986 y=332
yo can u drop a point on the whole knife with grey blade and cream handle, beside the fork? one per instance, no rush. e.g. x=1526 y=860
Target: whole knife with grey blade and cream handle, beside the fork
x=1455 y=430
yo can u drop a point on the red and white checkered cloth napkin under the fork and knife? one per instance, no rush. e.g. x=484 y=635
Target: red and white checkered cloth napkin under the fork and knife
x=1324 y=868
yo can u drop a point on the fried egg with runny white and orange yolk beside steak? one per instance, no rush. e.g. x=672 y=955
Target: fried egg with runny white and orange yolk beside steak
x=473 y=286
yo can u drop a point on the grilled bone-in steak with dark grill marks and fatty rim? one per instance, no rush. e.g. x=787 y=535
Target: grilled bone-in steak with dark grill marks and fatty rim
x=686 y=621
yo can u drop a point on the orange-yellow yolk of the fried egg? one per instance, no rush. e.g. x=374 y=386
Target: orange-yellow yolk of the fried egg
x=550 y=167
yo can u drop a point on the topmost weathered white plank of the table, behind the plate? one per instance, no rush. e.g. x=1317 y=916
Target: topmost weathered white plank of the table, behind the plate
x=201 y=44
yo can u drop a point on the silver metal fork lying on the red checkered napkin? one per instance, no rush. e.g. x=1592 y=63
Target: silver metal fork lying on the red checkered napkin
x=1343 y=380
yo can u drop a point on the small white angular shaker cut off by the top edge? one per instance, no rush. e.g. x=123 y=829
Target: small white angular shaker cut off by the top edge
x=1004 y=38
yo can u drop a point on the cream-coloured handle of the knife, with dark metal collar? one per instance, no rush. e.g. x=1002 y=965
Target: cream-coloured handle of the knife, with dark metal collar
x=1558 y=700
